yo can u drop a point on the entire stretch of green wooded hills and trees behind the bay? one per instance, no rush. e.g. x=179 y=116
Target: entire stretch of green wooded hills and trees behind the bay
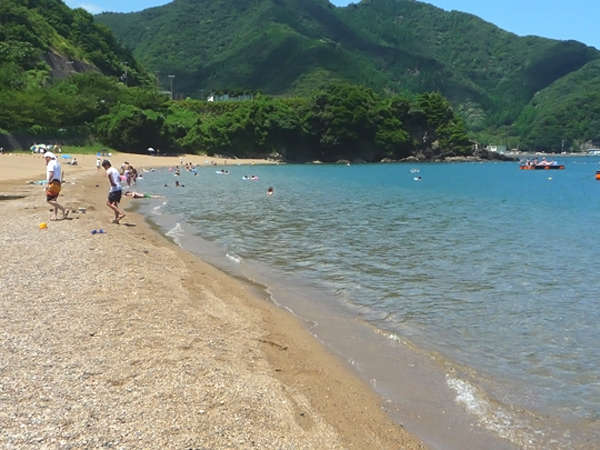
x=368 y=81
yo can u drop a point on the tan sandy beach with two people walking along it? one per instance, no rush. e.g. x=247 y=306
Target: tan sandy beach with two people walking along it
x=122 y=339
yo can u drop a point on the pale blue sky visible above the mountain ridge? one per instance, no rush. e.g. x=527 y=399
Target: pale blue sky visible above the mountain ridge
x=557 y=19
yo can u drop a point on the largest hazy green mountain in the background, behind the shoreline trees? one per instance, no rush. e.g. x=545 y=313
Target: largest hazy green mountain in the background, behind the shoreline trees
x=395 y=46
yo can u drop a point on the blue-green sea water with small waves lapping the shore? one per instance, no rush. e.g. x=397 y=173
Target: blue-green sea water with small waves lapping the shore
x=484 y=270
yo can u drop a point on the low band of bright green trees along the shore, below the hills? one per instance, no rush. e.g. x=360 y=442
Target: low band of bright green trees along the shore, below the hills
x=341 y=121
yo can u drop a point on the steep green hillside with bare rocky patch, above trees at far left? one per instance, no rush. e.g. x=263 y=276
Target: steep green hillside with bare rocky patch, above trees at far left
x=44 y=40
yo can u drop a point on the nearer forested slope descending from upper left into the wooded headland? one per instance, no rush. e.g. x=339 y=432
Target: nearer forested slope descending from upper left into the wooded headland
x=71 y=82
